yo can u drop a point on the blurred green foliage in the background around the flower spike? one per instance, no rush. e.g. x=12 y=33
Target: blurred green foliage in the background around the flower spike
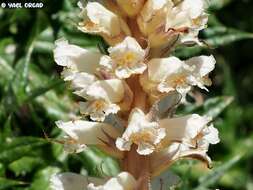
x=33 y=97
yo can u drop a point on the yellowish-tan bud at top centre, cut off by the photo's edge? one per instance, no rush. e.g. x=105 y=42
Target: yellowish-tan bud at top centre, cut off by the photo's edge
x=131 y=7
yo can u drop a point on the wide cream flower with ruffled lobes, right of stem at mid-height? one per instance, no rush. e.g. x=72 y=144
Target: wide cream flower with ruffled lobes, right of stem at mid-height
x=171 y=74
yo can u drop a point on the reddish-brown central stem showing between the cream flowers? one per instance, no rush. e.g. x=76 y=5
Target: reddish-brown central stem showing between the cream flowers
x=137 y=165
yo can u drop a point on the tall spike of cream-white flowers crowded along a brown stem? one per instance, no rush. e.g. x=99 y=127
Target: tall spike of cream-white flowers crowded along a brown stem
x=130 y=82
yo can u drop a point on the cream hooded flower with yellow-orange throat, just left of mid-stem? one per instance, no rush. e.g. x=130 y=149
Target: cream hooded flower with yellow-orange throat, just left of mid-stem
x=102 y=98
